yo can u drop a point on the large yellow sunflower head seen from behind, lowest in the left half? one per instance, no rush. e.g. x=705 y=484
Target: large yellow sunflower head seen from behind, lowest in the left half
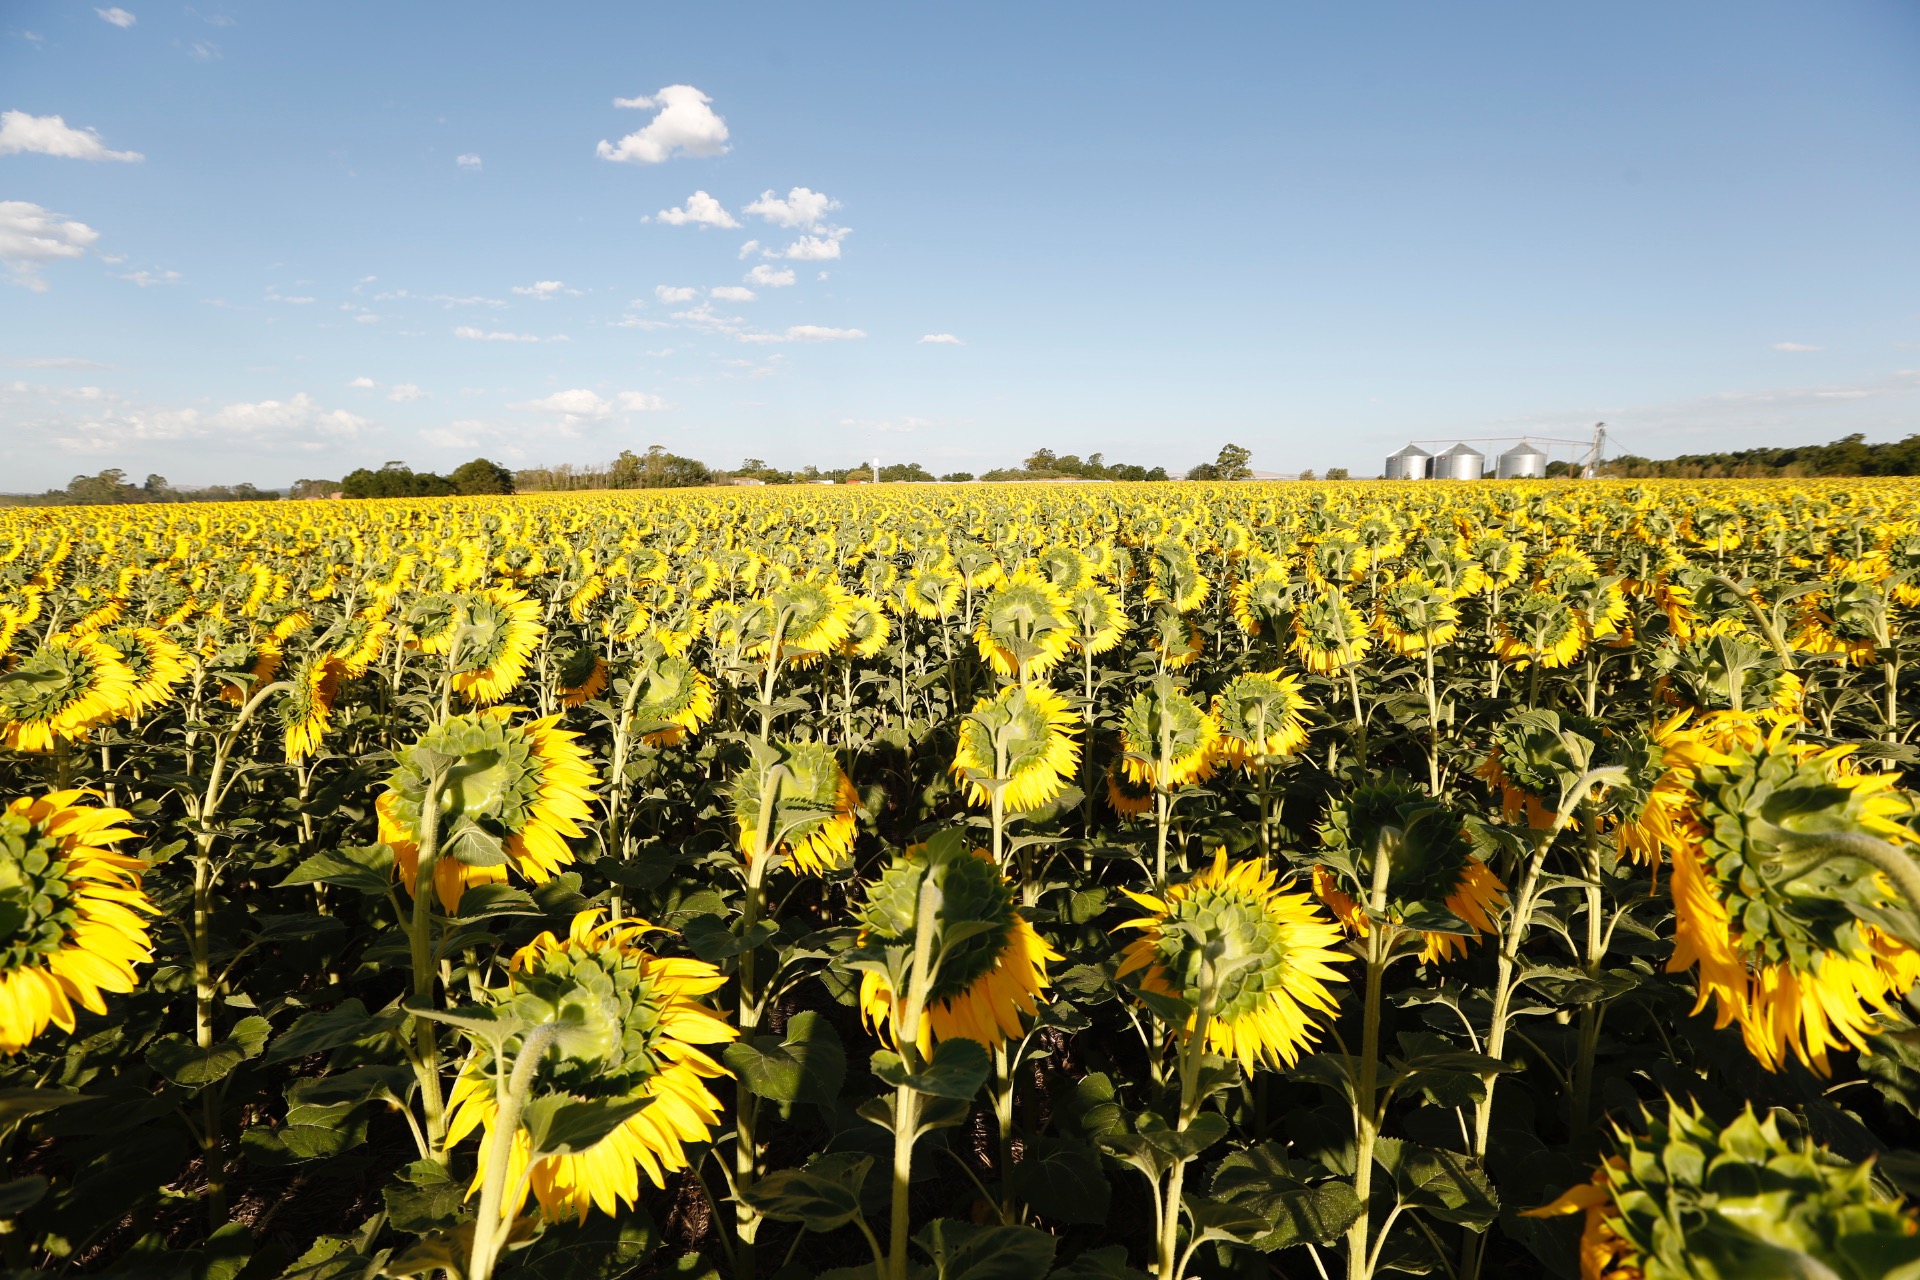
x=642 y=1028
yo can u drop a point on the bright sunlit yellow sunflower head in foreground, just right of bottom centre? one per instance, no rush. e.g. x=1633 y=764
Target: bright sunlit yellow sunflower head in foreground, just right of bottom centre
x=1268 y=955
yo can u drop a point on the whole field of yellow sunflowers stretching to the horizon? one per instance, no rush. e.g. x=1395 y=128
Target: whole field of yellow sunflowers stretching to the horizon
x=965 y=884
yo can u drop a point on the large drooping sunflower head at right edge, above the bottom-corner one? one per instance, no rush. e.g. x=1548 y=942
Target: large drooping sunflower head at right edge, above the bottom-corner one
x=1769 y=920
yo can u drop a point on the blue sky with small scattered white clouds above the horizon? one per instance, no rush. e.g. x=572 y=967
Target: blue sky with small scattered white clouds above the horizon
x=425 y=231
